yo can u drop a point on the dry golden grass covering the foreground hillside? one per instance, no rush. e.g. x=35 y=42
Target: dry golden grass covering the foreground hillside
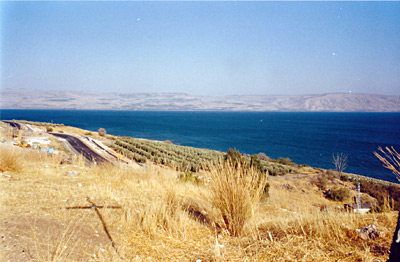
x=163 y=219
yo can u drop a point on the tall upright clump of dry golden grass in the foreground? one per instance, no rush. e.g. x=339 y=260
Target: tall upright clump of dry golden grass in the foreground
x=234 y=192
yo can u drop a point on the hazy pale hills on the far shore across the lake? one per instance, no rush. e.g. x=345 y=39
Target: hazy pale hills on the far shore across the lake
x=334 y=102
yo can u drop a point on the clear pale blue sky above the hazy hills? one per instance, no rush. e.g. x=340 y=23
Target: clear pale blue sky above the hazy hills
x=202 y=48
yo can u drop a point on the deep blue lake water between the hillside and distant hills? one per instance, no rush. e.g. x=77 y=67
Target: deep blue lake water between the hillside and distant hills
x=306 y=138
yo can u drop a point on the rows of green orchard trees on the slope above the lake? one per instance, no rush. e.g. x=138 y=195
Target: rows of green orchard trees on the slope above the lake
x=182 y=157
